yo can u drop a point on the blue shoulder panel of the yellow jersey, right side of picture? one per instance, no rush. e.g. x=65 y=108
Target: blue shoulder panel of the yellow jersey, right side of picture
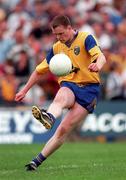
x=90 y=42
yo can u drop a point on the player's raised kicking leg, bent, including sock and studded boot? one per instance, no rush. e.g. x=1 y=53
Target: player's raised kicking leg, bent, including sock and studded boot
x=64 y=99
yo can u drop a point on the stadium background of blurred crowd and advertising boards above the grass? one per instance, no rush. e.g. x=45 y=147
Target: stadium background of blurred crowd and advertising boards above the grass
x=25 y=38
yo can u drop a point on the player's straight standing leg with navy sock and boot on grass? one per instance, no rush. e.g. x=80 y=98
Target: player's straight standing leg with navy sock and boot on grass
x=72 y=118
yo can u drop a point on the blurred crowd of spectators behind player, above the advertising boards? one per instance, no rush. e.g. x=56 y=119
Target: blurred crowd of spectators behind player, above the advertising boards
x=25 y=38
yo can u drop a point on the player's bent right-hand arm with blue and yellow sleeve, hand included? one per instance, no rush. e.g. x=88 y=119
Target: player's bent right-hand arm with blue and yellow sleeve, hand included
x=98 y=58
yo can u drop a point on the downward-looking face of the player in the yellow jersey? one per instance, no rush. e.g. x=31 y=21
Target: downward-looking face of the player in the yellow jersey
x=62 y=33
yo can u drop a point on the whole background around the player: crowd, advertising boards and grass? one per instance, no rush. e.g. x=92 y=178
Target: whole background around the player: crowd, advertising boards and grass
x=25 y=38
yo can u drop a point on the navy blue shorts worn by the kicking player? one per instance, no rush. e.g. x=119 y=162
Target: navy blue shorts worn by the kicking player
x=85 y=95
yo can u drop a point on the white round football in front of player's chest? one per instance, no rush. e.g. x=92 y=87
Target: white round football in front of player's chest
x=60 y=65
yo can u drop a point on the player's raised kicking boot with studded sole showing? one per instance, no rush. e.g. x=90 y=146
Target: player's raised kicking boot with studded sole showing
x=43 y=117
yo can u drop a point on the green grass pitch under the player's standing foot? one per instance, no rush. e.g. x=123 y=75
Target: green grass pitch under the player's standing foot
x=73 y=161
